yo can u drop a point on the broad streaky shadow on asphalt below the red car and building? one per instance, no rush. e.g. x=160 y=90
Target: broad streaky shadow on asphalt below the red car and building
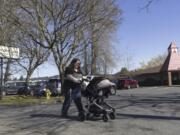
x=170 y=100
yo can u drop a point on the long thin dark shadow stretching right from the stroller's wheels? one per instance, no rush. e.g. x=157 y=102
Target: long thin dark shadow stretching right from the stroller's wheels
x=139 y=116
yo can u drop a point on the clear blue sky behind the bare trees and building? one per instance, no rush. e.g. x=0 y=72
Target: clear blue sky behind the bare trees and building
x=141 y=35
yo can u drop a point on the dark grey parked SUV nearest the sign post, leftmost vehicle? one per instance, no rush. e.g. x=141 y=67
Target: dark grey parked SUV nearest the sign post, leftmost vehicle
x=12 y=87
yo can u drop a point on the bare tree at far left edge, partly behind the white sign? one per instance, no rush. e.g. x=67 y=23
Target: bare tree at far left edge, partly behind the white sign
x=7 y=38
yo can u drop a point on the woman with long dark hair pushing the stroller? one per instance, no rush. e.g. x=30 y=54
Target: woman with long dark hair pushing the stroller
x=72 y=90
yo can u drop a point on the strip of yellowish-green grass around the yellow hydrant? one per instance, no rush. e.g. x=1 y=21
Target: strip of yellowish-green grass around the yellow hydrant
x=28 y=100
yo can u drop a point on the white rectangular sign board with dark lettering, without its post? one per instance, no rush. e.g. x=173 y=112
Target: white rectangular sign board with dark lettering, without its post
x=9 y=52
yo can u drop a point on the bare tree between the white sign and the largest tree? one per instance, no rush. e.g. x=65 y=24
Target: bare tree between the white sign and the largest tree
x=32 y=55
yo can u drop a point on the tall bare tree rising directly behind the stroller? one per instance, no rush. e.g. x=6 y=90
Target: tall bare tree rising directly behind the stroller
x=103 y=18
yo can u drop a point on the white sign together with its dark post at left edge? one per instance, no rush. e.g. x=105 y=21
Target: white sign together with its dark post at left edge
x=10 y=53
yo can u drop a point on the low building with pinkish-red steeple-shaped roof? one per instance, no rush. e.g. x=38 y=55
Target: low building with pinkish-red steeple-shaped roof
x=165 y=74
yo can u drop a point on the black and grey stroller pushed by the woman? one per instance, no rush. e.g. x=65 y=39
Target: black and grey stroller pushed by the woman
x=96 y=90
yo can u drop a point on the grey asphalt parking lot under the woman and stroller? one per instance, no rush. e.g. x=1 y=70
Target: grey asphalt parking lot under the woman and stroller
x=140 y=111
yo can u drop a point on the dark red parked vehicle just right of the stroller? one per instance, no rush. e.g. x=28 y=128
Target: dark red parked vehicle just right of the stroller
x=127 y=83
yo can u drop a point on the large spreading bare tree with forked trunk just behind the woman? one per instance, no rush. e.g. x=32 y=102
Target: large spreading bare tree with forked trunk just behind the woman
x=52 y=24
